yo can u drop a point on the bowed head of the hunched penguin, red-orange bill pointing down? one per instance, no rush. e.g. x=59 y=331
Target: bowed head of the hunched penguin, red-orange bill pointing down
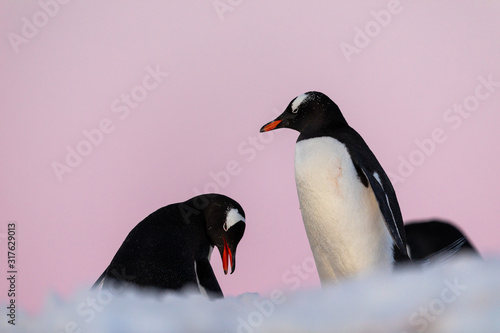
x=225 y=227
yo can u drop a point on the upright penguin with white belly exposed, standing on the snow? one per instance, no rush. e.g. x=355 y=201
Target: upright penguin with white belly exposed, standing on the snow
x=349 y=208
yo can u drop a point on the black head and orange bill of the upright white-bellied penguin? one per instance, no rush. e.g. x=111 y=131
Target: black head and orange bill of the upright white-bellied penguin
x=312 y=110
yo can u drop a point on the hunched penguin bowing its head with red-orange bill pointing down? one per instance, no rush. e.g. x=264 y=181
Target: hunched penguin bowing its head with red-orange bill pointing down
x=171 y=248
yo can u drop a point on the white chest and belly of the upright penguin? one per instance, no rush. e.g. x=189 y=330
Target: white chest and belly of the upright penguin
x=344 y=225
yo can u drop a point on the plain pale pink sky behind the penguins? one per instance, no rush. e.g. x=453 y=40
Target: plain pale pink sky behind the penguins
x=228 y=74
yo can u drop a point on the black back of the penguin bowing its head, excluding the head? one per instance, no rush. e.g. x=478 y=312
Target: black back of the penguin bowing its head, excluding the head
x=160 y=251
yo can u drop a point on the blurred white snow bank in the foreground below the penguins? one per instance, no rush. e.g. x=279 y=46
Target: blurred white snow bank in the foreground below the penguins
x=459 y=296
